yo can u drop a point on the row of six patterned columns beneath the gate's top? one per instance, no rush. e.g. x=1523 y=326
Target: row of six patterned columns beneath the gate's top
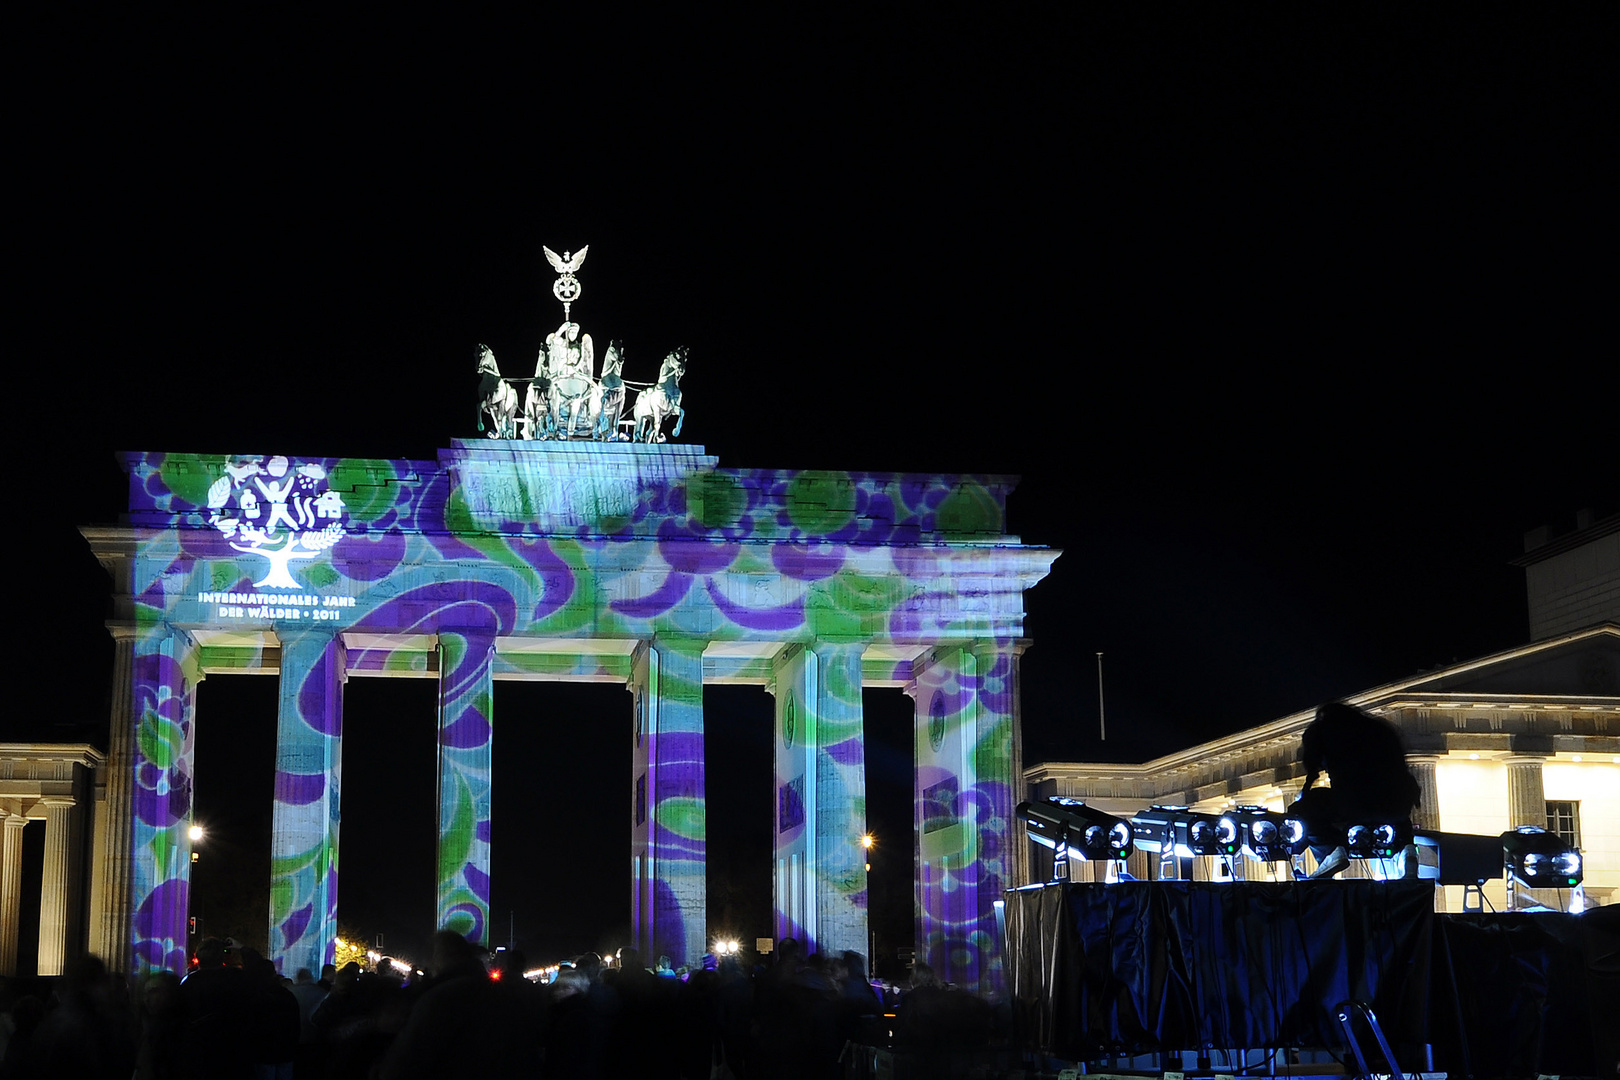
x=966 y=780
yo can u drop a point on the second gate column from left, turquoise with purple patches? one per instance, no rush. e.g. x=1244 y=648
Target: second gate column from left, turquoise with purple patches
x=304 y=831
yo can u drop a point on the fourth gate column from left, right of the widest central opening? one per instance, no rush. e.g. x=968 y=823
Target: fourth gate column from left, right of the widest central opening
x=670 y=827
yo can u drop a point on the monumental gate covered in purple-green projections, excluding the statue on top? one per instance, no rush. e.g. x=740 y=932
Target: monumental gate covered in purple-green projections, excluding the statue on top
x=641 y=564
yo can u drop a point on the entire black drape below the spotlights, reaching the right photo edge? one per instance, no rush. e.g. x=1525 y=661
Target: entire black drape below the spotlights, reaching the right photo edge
x=1146 y=966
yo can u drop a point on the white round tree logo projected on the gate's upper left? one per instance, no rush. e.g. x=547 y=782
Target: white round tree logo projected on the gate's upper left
x=266 y=509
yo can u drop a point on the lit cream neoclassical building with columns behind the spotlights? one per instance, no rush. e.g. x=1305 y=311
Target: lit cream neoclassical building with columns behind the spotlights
x=1528 y=736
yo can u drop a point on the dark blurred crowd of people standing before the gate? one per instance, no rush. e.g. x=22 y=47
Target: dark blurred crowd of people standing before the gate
x=236 y=1019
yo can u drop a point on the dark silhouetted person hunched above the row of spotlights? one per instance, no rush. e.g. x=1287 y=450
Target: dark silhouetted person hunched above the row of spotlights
x=1365 y=759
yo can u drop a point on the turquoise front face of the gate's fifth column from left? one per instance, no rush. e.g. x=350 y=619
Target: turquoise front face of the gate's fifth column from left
x=840 y=870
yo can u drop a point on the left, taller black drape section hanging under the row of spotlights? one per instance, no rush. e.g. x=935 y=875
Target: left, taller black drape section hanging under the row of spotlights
x=1183 y=964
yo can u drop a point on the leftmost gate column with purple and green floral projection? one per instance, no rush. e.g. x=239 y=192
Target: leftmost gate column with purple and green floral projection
x=164 y=679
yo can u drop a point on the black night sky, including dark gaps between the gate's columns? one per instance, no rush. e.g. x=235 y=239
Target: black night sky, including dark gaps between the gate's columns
x=1292 y=328
